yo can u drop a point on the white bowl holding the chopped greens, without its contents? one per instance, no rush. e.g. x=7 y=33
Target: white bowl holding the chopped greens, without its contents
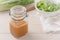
x=46 y=14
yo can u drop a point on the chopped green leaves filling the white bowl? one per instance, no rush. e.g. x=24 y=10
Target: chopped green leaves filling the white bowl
x=47 y=6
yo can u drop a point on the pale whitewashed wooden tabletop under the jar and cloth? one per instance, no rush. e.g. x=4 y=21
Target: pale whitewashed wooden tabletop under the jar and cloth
x=35 y=28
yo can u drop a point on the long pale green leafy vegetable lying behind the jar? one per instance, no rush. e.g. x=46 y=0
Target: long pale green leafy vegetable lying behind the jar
x=7 y=4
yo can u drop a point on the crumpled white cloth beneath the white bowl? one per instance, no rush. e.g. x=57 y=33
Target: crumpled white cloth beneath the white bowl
x=50 y=24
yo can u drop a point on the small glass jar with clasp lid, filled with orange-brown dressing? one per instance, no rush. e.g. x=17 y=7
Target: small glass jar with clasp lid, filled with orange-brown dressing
x=18 y=26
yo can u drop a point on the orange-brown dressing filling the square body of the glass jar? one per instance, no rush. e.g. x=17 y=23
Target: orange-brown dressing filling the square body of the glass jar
x=18 y=28
